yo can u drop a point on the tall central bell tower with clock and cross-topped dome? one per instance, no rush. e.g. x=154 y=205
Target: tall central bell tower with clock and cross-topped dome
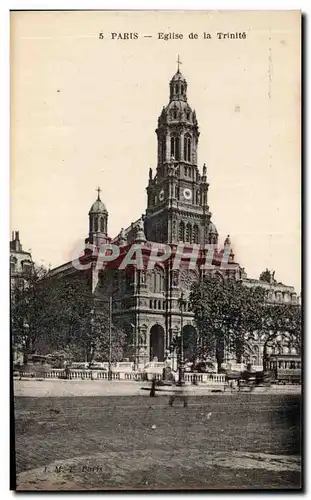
x=177 y=209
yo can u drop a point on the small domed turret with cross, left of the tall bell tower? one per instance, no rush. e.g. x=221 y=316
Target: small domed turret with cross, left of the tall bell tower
x=98 y=222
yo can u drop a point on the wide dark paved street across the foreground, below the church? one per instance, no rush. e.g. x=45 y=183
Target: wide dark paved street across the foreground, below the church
x=233 y=441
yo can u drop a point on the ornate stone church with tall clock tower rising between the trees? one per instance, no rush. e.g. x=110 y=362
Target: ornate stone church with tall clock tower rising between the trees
x=154 y=303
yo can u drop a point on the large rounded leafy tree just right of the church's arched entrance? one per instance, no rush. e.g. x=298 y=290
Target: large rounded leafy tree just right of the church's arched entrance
x=224 y=311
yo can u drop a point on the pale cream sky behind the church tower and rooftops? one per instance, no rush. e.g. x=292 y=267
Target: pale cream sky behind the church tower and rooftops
x=84 y=113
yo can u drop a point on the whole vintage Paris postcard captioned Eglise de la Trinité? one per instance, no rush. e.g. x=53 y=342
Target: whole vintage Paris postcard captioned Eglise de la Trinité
x=155 y=250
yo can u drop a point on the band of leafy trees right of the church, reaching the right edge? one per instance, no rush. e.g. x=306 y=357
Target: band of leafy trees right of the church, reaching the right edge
x=231 y=316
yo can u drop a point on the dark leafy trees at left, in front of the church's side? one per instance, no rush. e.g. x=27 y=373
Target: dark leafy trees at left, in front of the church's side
x=62 y=315
